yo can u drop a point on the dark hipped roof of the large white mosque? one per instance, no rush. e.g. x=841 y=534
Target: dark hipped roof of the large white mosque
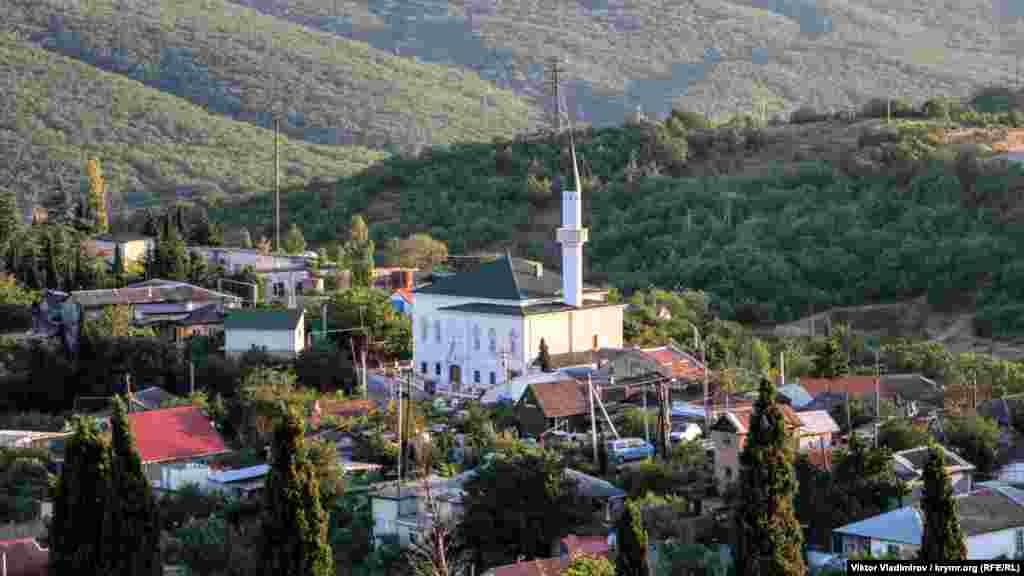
x=504 y=279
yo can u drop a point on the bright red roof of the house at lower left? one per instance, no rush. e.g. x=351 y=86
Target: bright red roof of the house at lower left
x=175 y=434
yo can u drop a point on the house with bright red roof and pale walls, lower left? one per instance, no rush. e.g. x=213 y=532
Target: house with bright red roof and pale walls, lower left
x=176 y=445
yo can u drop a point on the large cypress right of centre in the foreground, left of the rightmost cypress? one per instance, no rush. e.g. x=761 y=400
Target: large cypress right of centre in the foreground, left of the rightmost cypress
x=770 y=537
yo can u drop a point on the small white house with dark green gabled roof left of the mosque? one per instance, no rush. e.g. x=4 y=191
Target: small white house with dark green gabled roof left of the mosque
x=279 y=333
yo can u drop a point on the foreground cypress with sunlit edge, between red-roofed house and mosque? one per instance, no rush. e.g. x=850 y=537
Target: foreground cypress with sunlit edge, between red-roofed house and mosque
x=294 y=522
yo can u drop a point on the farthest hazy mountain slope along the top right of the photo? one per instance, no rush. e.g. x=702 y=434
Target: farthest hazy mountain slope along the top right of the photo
x=716 y=57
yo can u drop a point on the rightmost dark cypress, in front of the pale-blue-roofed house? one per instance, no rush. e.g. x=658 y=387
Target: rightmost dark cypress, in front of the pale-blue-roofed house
x=944 y=539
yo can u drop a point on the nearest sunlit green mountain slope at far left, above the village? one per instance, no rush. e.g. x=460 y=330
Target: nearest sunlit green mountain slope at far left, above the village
x=56 y=113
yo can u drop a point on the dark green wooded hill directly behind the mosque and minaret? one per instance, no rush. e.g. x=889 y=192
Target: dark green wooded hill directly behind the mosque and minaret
x=772 y=244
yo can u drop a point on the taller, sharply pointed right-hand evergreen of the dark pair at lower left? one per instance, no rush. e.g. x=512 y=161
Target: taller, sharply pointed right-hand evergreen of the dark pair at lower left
x=133 y=528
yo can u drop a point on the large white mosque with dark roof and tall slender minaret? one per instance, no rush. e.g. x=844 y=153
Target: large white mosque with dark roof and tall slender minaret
x=483 y=326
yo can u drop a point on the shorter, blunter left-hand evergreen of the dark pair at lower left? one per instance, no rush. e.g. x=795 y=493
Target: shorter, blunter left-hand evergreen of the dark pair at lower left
x=81 y=496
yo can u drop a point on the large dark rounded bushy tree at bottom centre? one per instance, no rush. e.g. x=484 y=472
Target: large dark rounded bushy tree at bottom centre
x=518 y=506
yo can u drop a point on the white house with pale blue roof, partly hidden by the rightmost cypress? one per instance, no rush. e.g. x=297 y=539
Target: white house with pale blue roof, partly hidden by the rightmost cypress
x=993 y=519
